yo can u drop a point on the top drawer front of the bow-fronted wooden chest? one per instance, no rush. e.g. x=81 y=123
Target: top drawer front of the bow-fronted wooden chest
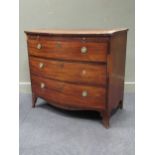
x=69 y=49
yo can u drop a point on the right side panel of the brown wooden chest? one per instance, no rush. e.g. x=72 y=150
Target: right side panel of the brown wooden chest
x=116 y=69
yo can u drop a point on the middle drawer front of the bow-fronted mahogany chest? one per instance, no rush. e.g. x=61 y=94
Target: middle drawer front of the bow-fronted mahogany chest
x=85 y=73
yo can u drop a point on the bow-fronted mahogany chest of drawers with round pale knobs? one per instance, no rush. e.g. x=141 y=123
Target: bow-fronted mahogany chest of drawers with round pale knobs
x=78 y=69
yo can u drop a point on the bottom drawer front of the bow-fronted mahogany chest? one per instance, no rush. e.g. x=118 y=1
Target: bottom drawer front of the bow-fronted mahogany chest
x=68 y=94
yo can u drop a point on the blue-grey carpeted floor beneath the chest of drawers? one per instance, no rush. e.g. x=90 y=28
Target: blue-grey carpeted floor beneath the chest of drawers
x=46 y=130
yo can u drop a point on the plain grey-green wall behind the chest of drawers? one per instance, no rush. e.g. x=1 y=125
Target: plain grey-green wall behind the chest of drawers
x=76 y=14
